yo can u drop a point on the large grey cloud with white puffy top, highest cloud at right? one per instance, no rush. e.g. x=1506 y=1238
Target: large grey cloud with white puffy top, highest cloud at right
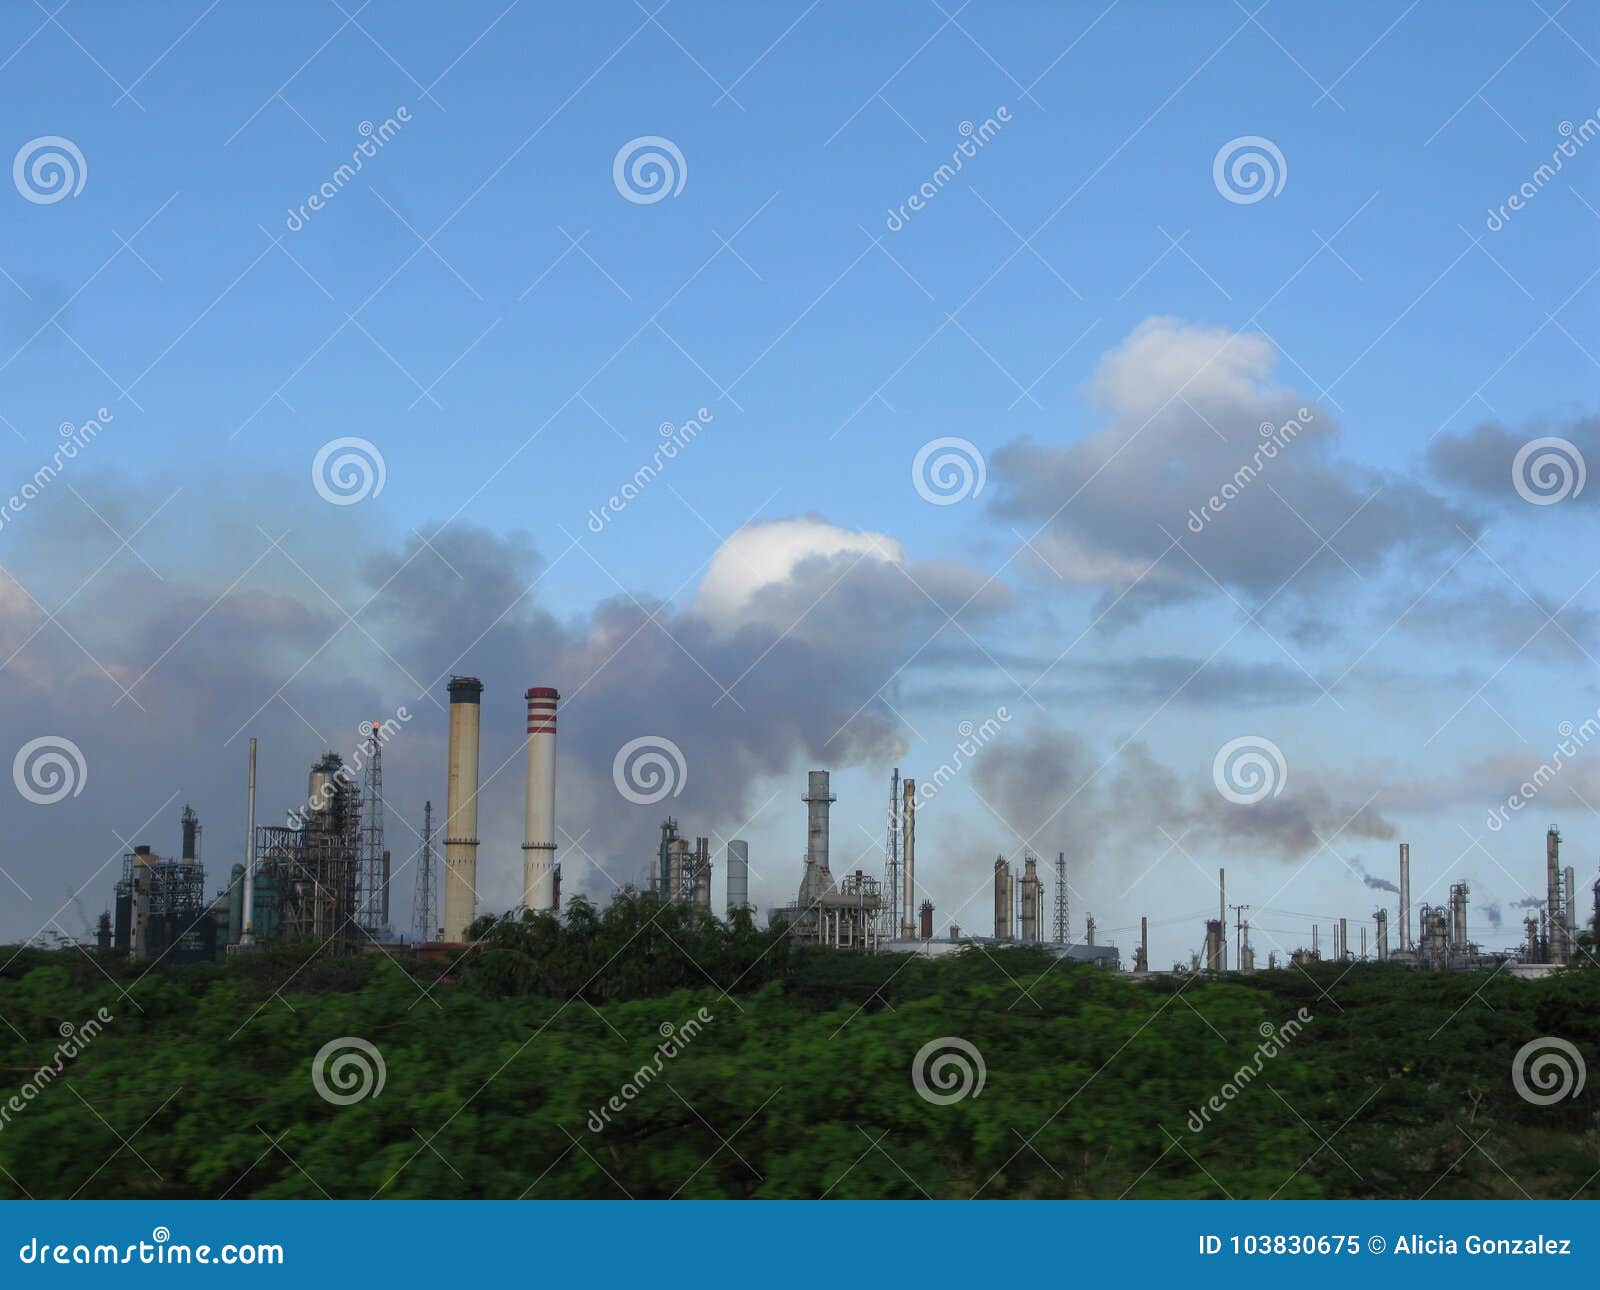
x=1193 y=417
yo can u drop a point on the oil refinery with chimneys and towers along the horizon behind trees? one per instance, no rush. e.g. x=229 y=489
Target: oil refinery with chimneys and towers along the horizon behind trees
x=324 y=879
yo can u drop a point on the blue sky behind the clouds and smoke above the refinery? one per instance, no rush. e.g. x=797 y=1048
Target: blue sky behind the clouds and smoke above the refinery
x=514 y=382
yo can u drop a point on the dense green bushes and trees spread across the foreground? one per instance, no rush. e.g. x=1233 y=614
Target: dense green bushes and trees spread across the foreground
x=799 y=1086
